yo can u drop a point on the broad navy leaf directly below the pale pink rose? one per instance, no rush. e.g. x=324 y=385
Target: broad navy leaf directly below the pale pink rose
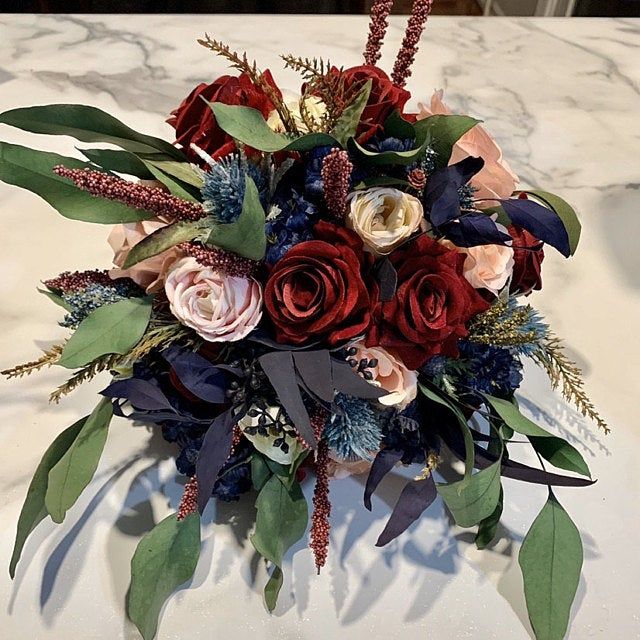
x=197 y=374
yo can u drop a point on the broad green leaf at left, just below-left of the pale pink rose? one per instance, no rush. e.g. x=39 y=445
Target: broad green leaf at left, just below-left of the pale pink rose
x=112 y=328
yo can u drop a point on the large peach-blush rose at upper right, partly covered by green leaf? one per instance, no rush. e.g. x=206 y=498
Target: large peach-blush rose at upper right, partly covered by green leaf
x=496 y=179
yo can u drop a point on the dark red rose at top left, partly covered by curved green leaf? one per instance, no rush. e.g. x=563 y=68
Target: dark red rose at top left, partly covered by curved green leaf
x=194 y=121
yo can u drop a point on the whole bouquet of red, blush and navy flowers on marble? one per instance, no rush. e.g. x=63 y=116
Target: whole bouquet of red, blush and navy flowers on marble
x=303 y=288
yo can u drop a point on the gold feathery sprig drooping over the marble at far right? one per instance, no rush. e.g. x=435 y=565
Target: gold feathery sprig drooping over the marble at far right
x=566 y=375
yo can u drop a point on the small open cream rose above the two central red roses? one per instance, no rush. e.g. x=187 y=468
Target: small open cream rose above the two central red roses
x=383 y=217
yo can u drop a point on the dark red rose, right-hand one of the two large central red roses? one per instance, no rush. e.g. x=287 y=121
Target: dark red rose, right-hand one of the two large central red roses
x=432 y=305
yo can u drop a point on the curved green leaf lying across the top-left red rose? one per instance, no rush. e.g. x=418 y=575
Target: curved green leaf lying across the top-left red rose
x=248 y=126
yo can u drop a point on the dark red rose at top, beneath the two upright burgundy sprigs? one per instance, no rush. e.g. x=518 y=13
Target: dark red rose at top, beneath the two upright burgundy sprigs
x=385 y=98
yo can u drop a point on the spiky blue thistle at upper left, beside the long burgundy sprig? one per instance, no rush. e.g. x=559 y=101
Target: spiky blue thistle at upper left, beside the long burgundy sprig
x=224 y=185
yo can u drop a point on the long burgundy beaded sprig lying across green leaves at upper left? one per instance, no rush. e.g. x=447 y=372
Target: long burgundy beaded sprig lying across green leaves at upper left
x=132 y=194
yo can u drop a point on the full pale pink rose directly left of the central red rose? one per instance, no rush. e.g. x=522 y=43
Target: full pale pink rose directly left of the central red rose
x=220 y=308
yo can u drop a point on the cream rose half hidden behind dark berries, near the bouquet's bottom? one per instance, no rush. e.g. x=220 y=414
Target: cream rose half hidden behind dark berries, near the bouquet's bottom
x=264 y=442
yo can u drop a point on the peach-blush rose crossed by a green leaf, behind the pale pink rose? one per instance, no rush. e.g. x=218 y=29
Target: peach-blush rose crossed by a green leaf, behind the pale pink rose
x=150 y=273
